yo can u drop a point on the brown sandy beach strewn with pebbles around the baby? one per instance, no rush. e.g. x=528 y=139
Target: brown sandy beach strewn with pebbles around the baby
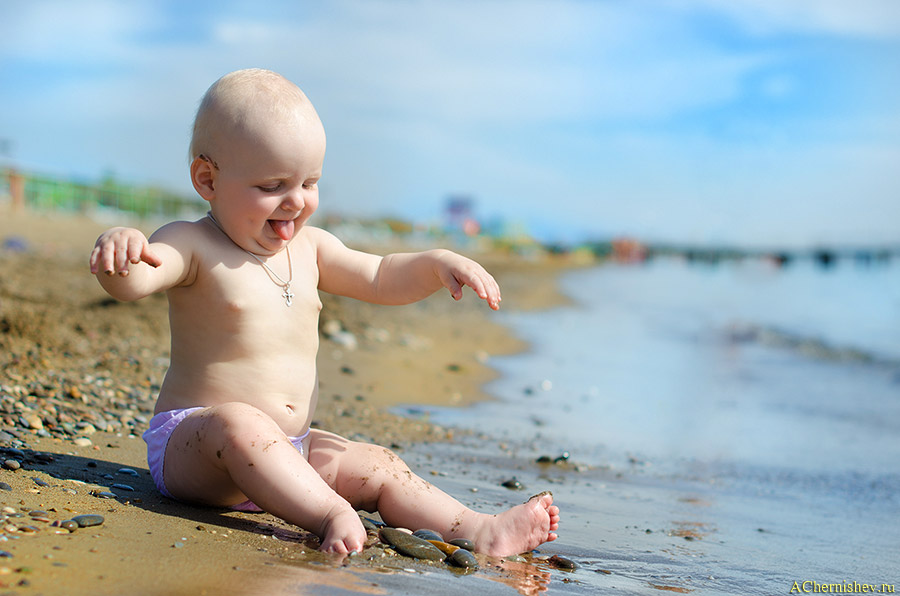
x=79 y=377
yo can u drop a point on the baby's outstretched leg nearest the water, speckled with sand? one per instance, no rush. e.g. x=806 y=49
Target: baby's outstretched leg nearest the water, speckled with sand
x=372 y=478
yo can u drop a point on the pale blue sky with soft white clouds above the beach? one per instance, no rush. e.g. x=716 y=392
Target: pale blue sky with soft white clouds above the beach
x=748 y=122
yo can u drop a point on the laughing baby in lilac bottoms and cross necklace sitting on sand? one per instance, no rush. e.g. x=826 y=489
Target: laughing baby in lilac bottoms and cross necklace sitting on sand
x=231 y=425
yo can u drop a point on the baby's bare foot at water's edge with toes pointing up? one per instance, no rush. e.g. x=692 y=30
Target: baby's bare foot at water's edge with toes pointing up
x=519 y=529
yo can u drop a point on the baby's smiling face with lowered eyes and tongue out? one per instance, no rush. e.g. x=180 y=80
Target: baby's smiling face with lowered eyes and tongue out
x=266 y=184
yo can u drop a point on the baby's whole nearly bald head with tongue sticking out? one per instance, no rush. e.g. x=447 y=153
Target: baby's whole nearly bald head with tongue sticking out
x=256 y=157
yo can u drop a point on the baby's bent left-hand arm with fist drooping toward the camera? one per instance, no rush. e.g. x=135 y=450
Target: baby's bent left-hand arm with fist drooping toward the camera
x=129 y=266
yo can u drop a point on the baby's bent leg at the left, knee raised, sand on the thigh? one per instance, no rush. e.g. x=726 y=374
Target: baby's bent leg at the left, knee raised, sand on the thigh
x=225 y=454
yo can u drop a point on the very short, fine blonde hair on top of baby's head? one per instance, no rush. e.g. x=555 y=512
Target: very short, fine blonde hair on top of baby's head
x=235 y=101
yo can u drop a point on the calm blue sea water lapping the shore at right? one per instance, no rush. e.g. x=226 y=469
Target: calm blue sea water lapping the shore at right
x=708 y=428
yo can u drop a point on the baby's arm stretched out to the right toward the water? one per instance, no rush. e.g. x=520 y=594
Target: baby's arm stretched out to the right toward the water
x=400 y=278
